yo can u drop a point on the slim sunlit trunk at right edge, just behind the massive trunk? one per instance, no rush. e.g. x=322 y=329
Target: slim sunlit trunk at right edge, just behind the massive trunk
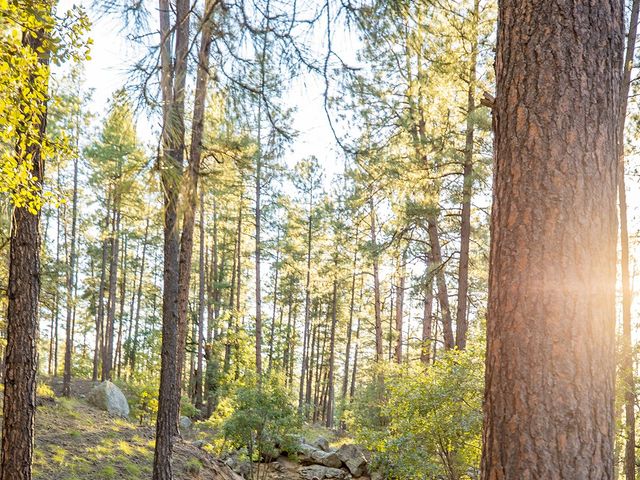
x=628 y=377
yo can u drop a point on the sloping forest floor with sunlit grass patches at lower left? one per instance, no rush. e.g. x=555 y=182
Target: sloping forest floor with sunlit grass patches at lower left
x=75 y=441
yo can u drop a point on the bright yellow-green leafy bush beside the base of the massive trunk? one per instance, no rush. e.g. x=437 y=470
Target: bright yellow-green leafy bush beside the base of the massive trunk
x=430 y=424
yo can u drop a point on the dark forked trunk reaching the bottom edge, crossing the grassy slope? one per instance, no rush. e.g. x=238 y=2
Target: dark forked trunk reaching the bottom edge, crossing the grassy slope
x=172 y=83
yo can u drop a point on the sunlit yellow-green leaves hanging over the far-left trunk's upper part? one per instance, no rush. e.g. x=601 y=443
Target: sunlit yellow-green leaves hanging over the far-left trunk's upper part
x=24 y=89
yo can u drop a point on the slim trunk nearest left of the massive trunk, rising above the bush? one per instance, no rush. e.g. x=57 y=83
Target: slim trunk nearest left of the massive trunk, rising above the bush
x=462 y=322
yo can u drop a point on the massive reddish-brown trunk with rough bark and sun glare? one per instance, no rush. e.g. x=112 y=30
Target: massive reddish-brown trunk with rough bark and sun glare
x=550 y=363
